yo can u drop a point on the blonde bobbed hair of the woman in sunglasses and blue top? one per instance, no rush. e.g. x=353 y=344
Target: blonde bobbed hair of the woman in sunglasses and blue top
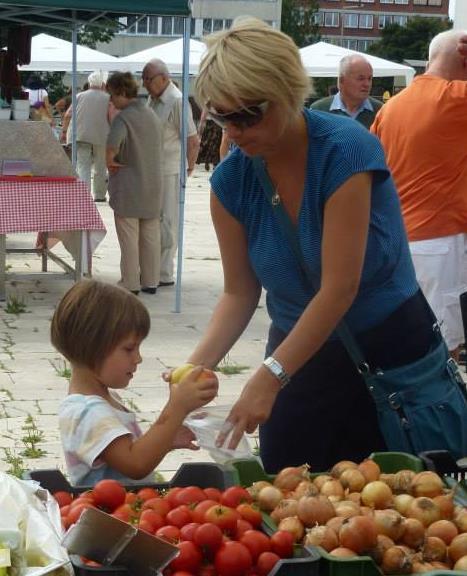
x=252 y=62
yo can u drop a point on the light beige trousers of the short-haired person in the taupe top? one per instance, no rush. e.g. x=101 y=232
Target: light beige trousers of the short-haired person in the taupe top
x=140 y=248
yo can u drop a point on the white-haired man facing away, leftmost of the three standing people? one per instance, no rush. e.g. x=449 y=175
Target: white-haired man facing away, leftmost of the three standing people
x=92 y=128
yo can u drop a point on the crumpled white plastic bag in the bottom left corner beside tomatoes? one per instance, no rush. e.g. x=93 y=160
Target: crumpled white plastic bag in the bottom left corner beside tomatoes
x=31 y=529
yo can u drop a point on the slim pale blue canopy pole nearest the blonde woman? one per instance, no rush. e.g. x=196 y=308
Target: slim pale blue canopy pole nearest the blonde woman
x=183 y=171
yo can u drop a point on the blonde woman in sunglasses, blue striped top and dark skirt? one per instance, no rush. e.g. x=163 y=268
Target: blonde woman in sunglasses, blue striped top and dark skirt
x=330 y=176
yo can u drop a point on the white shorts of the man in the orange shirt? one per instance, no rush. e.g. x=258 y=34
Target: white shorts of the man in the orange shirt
x=441 y=269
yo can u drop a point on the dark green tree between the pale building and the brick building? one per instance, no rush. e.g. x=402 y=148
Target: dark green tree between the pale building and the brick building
x=298 y=21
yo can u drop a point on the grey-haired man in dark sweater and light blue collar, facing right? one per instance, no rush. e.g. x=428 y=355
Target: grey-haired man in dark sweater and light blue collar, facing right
x=353 y=99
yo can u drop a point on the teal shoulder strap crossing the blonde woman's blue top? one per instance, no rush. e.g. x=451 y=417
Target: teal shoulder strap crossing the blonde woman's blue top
x=342 y=328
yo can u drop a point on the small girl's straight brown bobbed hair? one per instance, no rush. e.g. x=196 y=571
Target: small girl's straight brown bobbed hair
x=92 y=318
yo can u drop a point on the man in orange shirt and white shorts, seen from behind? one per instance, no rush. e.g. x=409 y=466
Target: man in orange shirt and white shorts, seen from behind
x=423 y=130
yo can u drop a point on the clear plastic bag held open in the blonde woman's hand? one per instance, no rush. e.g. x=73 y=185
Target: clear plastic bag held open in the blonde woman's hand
x=206 y=423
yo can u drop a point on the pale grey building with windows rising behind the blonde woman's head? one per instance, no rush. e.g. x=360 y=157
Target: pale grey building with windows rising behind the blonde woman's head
x=208 y=16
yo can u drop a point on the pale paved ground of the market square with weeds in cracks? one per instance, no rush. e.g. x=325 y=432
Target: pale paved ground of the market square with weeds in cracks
x=33 y=375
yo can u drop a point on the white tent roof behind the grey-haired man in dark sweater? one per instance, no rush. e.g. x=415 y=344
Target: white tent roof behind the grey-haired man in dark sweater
x=322 y=60
